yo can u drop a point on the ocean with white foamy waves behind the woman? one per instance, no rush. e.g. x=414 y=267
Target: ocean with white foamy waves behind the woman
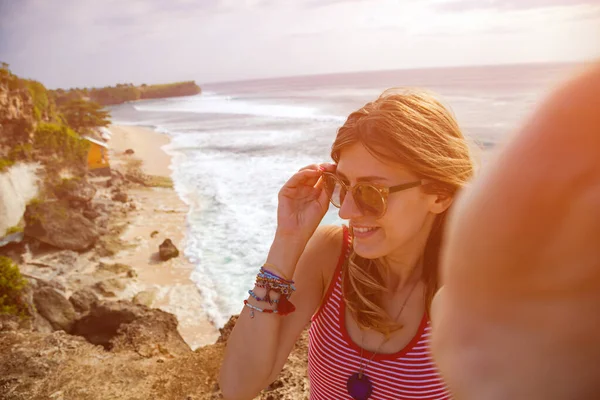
x=235 y=145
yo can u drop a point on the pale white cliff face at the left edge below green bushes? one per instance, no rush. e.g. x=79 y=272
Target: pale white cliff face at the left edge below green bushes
x=18 y=185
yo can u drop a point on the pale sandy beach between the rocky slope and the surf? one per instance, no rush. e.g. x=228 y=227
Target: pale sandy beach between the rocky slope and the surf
x=159 y=209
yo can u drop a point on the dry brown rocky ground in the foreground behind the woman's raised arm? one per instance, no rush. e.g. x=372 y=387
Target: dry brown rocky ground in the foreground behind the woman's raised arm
x=58 y=365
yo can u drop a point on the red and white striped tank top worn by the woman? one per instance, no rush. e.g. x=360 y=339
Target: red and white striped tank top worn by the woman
x=333 y=356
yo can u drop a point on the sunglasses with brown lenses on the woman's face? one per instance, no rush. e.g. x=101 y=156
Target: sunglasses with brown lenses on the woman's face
x=371 y=199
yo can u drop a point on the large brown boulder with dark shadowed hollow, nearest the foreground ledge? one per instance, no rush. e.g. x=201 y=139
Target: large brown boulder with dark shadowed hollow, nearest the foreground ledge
x=123 y=326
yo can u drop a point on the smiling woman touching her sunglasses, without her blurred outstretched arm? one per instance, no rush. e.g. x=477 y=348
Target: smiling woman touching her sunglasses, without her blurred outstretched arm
x=367 y=289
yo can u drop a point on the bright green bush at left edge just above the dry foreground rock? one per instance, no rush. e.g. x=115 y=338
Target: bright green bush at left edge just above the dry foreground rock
x=11 y=287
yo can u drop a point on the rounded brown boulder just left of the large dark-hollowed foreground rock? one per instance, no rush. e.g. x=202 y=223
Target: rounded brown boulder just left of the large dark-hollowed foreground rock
x=55 y=308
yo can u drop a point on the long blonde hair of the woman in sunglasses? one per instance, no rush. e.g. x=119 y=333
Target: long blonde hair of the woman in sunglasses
x=414 y=129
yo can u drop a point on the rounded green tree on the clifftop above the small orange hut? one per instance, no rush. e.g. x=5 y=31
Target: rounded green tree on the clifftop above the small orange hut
x=83 y=115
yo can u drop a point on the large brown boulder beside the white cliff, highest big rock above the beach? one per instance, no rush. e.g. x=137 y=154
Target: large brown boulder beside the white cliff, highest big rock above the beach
x=59 y=226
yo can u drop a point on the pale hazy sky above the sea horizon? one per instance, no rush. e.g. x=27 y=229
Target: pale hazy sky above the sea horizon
x=76 y=43
